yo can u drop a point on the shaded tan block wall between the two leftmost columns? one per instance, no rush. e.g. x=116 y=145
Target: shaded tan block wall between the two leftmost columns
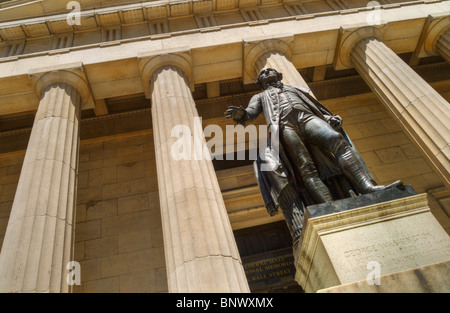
x=118 y=235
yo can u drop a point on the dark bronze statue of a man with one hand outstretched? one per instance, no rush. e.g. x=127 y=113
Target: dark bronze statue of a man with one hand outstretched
x=315 y=162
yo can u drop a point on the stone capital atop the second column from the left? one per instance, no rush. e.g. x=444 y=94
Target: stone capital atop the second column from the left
x=150 y=62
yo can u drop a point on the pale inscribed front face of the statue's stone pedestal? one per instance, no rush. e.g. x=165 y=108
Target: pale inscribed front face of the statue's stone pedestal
x=393 y=251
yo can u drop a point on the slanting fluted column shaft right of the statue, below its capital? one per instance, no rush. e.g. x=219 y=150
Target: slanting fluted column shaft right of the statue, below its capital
x=422 y=112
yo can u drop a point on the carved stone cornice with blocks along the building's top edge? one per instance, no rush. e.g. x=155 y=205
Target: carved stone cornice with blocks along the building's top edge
x=147 y=12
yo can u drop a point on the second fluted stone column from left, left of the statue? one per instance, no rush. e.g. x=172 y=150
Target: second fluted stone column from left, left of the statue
x=201 y=252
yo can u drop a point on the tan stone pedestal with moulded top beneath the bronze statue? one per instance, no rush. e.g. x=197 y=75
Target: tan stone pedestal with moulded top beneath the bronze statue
x=363 y=238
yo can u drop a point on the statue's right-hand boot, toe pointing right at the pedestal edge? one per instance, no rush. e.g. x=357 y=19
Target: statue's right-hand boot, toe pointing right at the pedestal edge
x=354 y=171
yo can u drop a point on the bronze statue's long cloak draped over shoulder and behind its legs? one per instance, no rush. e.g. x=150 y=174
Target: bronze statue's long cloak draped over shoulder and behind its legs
x=274 y=170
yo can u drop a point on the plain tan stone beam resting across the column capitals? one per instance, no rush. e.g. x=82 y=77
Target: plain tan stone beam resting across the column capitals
x=112 y=68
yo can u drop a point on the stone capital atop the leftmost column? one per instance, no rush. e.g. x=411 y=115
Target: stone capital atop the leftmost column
x=72 y=74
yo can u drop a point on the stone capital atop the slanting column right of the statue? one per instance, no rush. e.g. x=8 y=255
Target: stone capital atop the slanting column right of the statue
x=349 y=37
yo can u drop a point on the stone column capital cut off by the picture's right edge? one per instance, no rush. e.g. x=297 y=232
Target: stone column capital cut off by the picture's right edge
x=435 y=25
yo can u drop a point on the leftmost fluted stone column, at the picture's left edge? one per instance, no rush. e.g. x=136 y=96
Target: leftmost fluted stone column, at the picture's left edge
x=38 y=241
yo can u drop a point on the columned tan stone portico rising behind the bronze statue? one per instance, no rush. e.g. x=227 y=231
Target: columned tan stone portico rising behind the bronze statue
x=64 y=186
